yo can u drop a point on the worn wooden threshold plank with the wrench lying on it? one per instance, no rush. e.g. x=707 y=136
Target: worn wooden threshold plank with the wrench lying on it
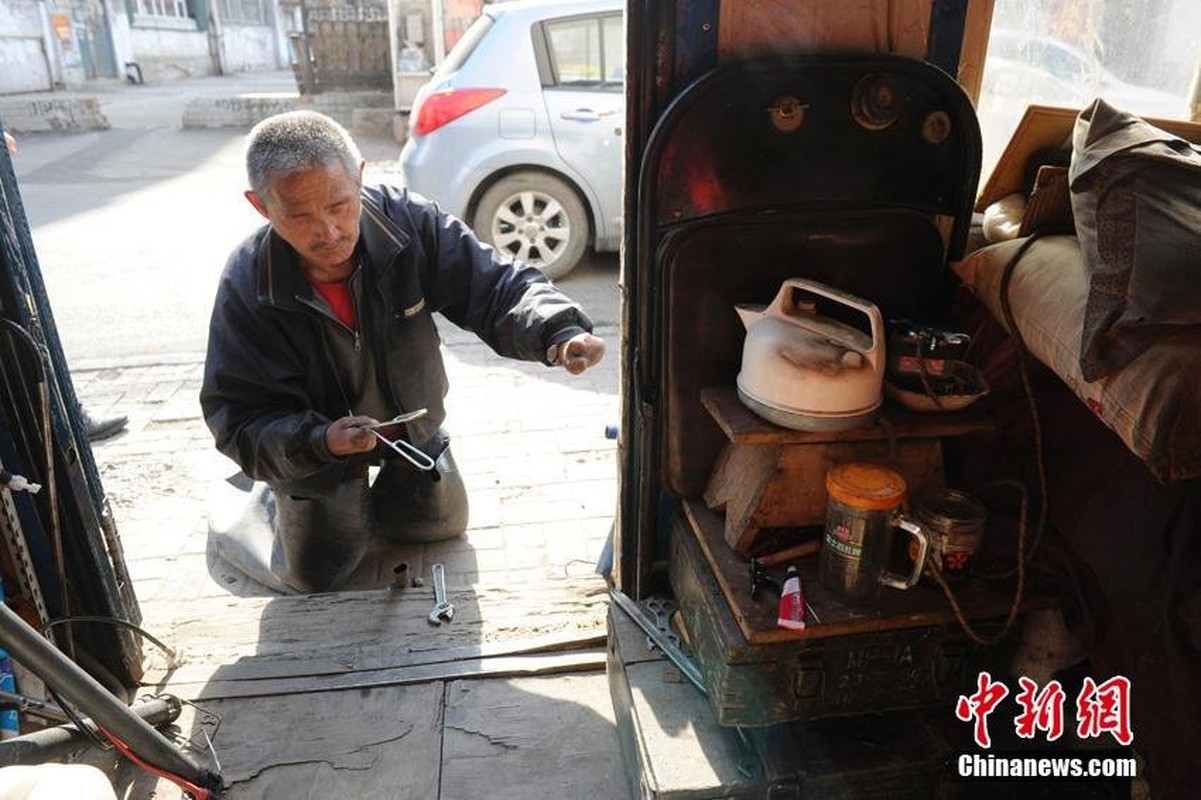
x=342 y=634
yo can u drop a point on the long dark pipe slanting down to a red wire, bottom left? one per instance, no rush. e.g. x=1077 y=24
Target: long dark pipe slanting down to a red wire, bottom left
x=83 y=691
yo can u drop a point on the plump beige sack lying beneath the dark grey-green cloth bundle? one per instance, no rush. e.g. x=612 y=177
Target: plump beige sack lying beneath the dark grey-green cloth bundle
x=1154 y=404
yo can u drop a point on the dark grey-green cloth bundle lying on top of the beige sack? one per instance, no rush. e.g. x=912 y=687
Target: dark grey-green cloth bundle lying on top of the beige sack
x=1137 y=200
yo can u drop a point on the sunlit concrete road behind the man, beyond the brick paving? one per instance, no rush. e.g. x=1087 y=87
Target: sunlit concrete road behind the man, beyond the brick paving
x=133 y=225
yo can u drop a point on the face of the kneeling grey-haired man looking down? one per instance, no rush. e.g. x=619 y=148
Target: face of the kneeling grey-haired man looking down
x=316 y=211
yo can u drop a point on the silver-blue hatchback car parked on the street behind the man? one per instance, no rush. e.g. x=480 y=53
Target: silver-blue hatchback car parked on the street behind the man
x=519 y=130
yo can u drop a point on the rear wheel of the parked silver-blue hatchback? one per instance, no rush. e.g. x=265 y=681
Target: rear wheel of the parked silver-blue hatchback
x=536 y=219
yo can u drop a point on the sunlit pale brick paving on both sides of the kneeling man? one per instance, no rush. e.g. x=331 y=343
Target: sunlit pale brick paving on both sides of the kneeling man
x=530 y=441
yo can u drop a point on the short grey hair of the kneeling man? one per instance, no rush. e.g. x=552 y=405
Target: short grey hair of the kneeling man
x=295 y=141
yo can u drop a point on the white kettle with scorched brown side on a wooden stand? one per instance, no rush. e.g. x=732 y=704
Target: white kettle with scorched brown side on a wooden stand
x=805 y=372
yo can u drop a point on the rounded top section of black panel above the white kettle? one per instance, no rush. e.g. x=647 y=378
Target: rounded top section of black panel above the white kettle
x=871 y=133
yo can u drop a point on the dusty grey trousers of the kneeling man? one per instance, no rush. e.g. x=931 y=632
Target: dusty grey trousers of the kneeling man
x=313 y=542
